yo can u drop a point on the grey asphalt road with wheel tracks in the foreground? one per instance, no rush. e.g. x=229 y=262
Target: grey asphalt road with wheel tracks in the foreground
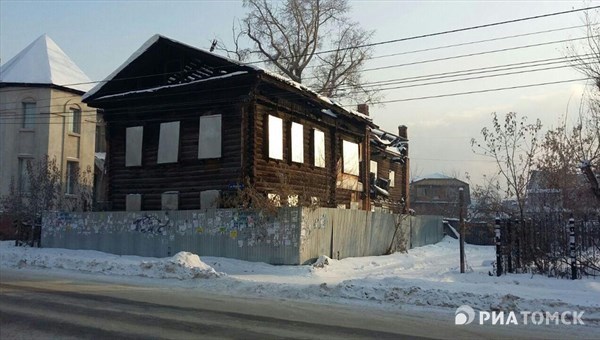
x=42 y=305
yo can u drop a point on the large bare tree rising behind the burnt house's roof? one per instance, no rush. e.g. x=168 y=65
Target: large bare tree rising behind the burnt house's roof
x=289 y=35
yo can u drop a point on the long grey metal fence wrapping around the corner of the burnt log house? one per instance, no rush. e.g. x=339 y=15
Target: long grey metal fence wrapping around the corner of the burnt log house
x=293 y=236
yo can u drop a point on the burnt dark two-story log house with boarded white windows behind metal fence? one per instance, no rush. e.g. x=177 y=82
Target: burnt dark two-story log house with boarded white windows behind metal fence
x=185 y=126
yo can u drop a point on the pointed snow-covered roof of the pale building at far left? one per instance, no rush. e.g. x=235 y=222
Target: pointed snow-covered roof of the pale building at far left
x=43 y=62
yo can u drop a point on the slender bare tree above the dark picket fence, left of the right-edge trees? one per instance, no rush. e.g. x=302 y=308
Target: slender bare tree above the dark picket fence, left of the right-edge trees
x=513 y=144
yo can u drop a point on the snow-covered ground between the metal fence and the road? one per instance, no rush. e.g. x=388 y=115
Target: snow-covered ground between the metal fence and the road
x=428 y=277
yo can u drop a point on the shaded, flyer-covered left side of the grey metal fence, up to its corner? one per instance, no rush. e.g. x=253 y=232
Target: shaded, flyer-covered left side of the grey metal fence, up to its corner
x=225 y=232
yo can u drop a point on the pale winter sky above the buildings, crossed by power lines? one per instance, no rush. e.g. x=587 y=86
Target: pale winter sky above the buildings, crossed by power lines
x=100 y=35
